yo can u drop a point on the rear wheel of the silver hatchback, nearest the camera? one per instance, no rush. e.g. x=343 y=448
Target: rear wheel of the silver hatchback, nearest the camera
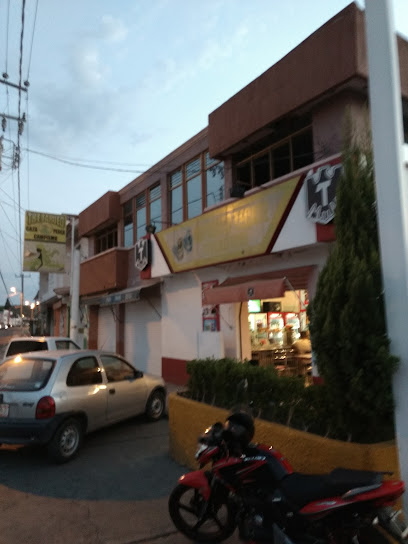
x=66 y=441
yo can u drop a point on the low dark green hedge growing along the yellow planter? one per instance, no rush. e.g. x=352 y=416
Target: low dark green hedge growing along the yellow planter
x=228 y=383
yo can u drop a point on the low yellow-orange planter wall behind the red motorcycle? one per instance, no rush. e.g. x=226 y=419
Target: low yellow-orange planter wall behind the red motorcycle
x=306 y=452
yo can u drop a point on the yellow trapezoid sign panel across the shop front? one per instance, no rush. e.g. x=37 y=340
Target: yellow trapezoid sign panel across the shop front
x=244 y=228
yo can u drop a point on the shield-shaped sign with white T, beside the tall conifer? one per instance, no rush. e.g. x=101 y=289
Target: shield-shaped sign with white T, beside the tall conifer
x=321 y=186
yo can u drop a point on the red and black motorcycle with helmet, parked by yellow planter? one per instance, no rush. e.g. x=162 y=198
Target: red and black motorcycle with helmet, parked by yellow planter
x=254 y=488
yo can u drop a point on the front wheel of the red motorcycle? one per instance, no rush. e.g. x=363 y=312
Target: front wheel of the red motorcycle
x=201 y=520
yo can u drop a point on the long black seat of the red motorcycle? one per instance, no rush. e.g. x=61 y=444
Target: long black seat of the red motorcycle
x=301 y=489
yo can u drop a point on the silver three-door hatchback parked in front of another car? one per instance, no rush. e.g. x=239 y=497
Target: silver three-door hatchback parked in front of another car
x=56 y=397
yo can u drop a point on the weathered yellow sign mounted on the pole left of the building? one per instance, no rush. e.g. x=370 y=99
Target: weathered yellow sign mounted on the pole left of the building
x=44 y=242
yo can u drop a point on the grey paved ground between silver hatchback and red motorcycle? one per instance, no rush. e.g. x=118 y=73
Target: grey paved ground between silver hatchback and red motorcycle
x=114 y=492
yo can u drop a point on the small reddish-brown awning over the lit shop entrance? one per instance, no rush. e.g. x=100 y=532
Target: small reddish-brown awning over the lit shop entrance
x=232 y=291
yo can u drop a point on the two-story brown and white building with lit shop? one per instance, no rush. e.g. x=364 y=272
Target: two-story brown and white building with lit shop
x=241 y=212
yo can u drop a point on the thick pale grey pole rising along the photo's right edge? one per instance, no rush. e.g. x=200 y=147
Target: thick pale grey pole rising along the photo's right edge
x=392 y=199
